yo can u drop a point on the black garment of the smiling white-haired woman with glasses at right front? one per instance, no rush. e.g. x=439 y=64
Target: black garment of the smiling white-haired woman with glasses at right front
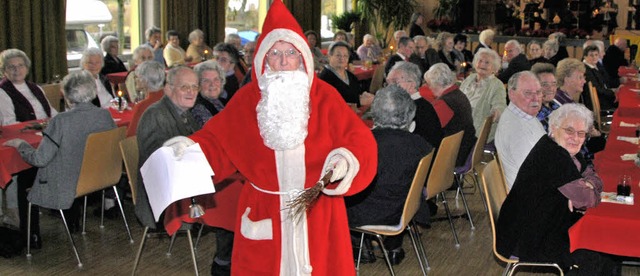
x=534 y=219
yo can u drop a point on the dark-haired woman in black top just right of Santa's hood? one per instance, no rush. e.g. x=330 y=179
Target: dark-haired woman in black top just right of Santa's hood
x=337 y=75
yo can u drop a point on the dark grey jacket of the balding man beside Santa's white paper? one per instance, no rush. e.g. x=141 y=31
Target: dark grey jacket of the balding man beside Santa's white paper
x=159 y=123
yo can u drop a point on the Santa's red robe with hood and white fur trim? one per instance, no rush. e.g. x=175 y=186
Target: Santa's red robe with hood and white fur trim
x=267 y=240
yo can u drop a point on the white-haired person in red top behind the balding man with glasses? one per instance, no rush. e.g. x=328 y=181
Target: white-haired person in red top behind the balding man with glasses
x=149 y=79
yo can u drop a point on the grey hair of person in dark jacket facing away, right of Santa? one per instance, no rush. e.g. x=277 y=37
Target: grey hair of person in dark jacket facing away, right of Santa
x=393 y=108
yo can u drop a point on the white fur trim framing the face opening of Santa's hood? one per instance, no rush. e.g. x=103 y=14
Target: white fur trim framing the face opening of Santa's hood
x=284 y=35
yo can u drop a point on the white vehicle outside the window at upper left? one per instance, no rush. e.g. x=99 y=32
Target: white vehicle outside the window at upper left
x=79 y=14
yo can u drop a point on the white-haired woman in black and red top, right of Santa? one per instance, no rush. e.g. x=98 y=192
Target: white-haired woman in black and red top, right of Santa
x=449 y=99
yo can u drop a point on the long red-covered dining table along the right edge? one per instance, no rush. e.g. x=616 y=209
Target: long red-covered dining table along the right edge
x=614 y=228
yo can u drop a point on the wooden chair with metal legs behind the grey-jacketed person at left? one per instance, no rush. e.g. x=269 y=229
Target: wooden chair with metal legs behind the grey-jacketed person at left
x=101 y=169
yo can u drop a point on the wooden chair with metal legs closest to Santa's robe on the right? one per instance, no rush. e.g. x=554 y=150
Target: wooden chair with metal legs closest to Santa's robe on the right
x=411 y=205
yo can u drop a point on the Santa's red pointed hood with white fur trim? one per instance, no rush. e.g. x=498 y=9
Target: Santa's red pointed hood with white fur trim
x=280 y=25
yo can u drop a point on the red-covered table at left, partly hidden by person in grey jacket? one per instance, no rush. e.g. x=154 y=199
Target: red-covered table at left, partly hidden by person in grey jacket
x=10 y=160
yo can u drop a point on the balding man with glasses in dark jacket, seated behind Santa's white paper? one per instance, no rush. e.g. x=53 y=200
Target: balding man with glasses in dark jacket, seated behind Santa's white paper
x=164 y=119
